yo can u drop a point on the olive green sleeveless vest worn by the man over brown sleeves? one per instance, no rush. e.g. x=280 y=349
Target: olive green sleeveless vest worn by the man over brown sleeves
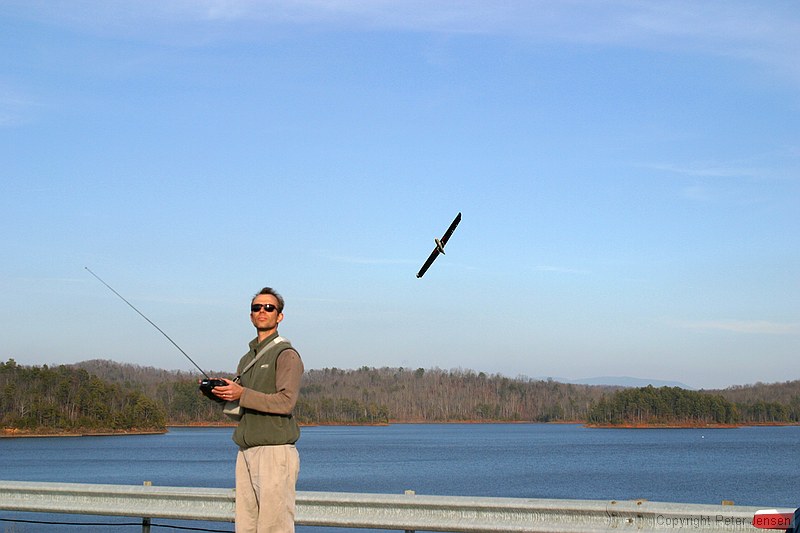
x=255 y=427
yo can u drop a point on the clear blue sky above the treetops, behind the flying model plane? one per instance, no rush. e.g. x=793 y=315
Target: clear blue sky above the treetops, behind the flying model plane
x=628 y=174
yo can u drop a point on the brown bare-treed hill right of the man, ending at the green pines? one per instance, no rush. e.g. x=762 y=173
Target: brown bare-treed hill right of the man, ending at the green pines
x=435 y=395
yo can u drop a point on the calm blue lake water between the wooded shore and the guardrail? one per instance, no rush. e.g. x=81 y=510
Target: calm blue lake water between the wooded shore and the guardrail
x=751 y=466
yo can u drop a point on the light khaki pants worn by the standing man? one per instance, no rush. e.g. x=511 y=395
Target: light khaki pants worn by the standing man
x=265 y=489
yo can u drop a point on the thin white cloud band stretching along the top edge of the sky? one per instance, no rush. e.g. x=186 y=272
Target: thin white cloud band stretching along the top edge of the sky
x=742 y=30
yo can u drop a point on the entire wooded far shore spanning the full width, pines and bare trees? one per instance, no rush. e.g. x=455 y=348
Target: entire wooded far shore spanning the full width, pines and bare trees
x=103 y=395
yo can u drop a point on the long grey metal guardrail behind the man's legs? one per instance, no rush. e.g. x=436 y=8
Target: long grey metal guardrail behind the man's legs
x=404 y=512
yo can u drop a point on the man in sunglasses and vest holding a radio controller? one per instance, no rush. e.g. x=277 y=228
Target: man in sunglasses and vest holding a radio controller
x=267 y=463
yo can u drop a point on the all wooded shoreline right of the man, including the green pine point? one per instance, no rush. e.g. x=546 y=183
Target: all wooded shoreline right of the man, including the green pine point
x=395 y=394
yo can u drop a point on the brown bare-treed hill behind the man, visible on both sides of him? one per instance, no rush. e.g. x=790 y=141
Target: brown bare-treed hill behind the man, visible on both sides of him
x=378 y=395
